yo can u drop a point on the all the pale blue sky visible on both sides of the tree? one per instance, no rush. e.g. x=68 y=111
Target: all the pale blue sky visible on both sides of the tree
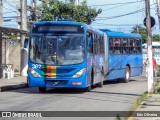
x=108 y=19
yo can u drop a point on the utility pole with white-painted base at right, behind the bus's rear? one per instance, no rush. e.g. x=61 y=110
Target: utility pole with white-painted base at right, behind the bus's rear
x=149 y=44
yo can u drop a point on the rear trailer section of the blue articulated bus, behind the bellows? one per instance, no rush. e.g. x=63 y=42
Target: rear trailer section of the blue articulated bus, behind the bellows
x=124 y=58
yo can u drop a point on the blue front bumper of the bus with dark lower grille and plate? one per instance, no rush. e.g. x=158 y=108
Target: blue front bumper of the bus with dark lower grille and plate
x=58 y=82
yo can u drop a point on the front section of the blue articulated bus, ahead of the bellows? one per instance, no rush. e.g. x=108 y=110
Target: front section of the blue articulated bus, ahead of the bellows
x=66 y=54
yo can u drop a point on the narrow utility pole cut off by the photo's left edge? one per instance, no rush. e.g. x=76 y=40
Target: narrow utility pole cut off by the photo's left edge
x=1 y=19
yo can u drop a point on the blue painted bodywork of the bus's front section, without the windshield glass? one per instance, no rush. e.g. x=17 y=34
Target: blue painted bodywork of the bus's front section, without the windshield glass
x=61 y=76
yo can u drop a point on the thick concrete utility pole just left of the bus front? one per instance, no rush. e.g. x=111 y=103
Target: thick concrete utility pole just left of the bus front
x=23 y=26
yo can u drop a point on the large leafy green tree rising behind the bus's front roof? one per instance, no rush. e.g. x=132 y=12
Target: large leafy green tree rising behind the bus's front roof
x=54 y=9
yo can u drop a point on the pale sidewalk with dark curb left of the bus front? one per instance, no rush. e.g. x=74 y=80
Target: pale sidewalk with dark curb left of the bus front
x=13 y=83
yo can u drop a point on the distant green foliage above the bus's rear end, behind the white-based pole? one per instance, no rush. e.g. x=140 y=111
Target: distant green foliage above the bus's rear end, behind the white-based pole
x=142 y=31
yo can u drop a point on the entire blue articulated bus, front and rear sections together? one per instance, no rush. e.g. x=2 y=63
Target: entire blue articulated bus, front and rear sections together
x=67 y=54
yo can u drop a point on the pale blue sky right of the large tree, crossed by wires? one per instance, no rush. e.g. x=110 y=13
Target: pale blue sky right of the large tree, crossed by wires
x=123 y=23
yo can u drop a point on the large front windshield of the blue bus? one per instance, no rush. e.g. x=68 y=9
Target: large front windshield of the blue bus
x=57 y=50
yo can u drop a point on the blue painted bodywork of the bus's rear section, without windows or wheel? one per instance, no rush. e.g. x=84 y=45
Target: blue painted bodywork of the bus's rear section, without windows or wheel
x=117 y=62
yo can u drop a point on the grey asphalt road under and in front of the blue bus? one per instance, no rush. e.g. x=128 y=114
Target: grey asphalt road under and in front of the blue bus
x=114 y=96
